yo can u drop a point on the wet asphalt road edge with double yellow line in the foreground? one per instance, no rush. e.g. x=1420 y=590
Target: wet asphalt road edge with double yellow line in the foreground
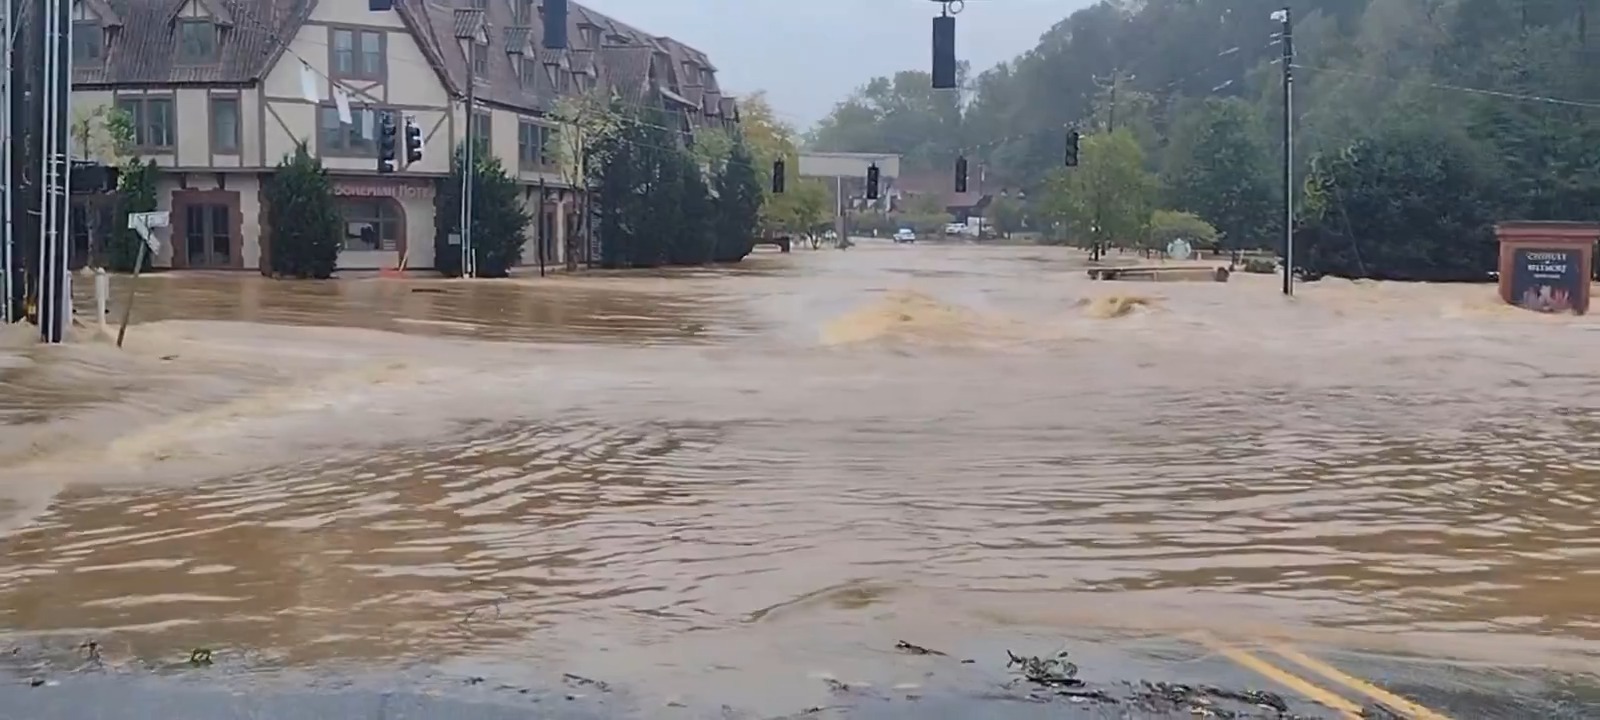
x=1166 y=681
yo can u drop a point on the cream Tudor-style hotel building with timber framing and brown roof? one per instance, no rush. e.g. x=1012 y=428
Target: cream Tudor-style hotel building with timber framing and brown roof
x=222 y=90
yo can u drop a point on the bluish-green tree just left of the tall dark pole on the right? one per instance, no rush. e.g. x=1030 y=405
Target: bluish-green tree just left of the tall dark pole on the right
x=1218 y=170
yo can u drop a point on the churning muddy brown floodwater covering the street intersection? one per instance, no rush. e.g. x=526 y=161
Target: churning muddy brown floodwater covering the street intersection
x=748 y=473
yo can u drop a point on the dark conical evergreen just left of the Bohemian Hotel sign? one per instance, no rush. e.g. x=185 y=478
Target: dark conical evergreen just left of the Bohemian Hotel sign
x=303 y=220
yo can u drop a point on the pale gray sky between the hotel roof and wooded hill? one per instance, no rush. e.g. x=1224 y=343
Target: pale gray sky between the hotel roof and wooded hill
x=812 y=54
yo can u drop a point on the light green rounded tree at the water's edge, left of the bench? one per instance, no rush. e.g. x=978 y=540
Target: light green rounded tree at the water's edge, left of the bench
x=1106 y=199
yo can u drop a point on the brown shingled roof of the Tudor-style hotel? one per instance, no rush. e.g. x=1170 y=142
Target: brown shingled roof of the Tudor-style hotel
x=143 y=50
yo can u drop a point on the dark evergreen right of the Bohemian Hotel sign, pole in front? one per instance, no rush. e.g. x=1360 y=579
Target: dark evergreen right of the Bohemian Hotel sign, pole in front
x=498 y=218
